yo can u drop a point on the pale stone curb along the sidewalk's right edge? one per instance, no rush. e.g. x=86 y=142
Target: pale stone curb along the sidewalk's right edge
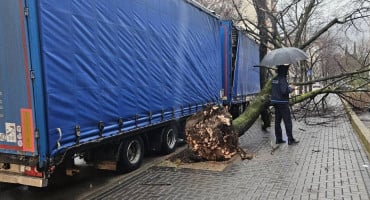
x=362 y=131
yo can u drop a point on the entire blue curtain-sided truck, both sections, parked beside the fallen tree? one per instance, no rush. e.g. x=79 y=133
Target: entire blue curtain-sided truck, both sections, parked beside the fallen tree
x=106 y=80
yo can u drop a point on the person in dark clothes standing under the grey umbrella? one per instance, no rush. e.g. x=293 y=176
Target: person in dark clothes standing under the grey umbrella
x=280 y=100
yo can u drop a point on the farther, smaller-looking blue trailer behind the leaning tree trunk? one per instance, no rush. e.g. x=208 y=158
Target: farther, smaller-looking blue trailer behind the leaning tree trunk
x=241 y=79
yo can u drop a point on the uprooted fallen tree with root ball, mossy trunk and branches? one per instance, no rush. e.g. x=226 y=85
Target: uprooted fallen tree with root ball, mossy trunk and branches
x=212 y=134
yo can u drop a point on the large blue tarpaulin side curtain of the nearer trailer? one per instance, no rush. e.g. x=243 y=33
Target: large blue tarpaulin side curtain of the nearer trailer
x=105 y=60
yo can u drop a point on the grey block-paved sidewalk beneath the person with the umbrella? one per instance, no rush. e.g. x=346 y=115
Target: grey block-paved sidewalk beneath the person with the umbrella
x=328 y=163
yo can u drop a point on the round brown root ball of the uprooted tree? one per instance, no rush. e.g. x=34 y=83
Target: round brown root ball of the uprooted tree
x=210 y=134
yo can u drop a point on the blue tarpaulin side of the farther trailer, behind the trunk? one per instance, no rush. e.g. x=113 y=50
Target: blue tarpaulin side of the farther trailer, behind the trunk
x=247 y=79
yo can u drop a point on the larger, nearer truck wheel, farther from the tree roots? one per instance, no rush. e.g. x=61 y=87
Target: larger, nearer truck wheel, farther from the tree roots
x=131 y=153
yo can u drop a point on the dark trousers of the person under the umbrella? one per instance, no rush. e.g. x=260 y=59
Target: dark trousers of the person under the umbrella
x=282 y=112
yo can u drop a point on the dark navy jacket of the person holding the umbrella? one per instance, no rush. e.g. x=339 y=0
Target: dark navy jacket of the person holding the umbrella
x=280 y=90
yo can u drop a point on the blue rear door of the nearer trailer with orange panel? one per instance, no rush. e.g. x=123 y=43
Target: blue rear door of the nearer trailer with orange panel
x=16 y=110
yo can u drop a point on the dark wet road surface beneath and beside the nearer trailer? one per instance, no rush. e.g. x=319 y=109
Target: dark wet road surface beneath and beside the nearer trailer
x=62 y=187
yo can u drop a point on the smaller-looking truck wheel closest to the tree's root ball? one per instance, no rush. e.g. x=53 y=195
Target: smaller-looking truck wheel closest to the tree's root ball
x=169 y=139
